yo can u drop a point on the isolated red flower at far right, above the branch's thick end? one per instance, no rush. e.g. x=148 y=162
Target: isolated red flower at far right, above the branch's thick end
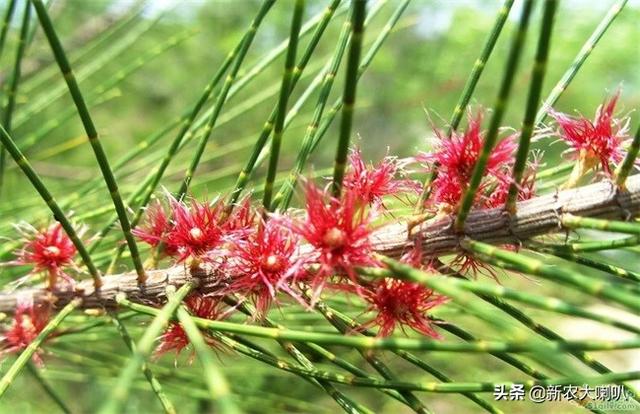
x=598 y=142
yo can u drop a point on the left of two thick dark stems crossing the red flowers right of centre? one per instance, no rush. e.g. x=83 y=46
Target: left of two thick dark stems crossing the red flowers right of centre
x=500 y=107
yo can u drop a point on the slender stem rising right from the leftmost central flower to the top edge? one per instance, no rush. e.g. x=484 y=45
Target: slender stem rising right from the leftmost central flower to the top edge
x=220 y=101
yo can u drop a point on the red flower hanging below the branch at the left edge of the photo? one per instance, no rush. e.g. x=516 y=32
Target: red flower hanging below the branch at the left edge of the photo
x=28 y=321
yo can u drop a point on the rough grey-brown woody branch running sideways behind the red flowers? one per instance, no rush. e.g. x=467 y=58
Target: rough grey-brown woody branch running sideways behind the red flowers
x=538 y=216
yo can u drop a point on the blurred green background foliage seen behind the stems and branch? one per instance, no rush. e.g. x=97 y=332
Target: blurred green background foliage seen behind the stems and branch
x=421 y=69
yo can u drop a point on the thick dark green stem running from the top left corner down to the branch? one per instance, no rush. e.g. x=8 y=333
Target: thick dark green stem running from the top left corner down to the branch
x=92 y=134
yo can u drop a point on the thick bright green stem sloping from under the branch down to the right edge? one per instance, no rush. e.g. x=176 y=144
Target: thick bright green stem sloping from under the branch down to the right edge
x=569 y=277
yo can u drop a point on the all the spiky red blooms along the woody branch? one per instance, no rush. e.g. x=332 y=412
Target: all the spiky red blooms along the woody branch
x=258 y=257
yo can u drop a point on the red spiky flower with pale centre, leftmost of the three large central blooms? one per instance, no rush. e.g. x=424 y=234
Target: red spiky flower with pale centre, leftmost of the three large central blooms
x=196 y=229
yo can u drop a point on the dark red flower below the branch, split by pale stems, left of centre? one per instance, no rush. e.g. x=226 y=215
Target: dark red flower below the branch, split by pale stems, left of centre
x=175 y=338
